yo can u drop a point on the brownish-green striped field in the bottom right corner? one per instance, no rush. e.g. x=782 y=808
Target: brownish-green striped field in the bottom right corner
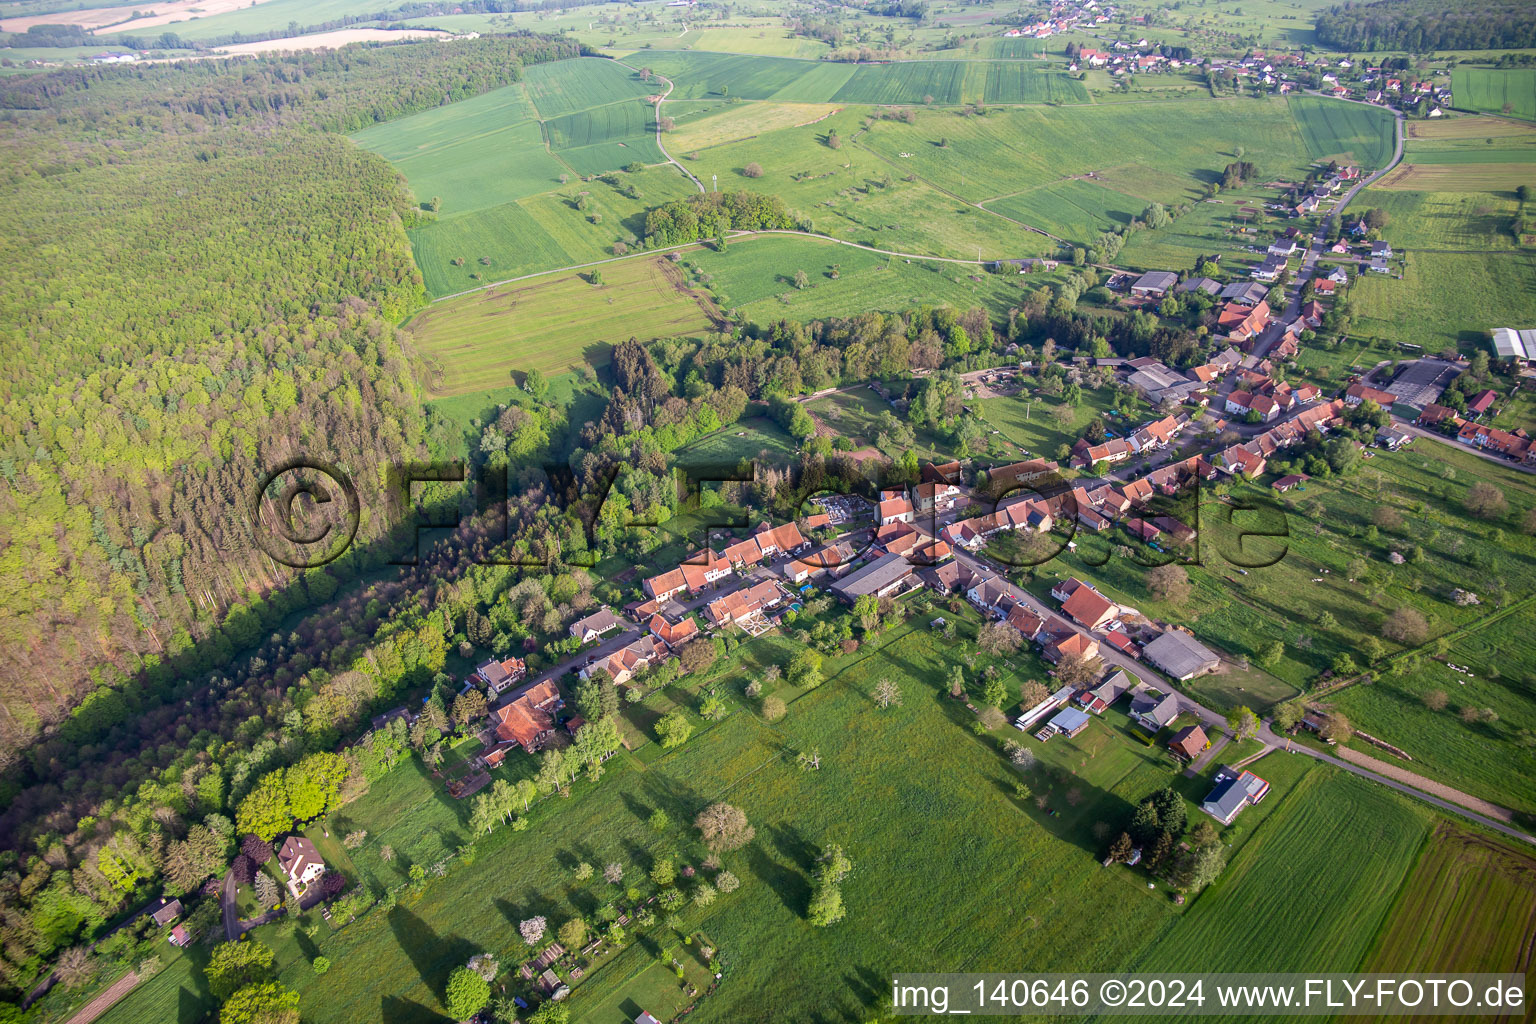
x=1469 y=907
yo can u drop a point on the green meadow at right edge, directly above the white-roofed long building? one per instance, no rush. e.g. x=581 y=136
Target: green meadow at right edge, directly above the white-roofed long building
x=1448 y=300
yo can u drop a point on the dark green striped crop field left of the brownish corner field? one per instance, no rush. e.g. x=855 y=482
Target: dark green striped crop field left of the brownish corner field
x=1309 y=891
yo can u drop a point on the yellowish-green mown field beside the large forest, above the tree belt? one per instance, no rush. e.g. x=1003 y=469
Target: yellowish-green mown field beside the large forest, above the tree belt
x=475 y=342
